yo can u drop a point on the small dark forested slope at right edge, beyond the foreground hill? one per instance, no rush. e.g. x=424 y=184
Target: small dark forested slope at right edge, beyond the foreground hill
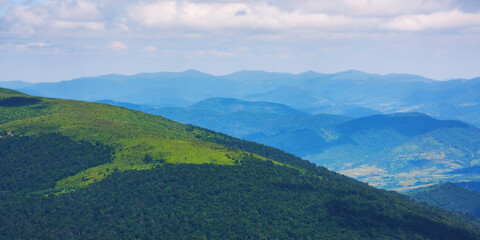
x=449 y=196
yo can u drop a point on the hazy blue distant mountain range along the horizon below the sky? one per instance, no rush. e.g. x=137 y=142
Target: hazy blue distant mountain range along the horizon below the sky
x=349 y=93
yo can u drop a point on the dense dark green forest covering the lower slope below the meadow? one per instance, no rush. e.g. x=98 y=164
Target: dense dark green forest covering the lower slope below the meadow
x=253 y=200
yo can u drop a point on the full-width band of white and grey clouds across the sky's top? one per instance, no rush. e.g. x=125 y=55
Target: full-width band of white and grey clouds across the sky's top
x=245 y=18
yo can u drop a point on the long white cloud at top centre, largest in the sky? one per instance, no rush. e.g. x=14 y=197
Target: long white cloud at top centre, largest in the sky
x=211 y=16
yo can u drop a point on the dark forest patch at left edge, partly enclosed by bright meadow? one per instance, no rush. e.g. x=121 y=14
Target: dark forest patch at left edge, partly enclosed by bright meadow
x=37 y=163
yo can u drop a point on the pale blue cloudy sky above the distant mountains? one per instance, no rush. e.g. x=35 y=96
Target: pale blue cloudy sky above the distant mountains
x=54 y=40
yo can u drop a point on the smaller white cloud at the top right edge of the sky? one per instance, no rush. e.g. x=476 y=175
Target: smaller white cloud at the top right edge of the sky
x=437 y=20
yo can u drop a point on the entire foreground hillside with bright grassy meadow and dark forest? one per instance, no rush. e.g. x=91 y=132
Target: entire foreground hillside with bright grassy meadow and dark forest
x=114 y=173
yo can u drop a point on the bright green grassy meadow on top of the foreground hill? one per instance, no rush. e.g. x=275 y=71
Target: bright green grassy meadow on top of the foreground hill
x=129 y=135
